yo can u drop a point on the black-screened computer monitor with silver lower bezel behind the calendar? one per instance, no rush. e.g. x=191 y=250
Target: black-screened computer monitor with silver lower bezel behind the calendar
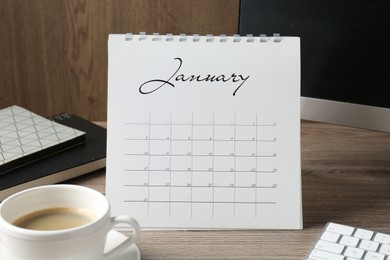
x=345 y=55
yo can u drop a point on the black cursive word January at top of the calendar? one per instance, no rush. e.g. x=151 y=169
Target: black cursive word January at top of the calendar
x=150 y=86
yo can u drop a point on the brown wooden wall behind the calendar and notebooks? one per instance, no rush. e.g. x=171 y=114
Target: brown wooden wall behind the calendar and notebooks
x=53 y=53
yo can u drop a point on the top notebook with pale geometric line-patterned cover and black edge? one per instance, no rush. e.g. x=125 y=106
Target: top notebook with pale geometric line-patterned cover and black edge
x=26 y=137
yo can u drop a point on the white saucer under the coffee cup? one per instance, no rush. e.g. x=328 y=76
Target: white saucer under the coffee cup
x=114 y=238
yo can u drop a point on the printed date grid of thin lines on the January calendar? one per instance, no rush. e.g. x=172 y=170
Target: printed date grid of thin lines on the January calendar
x=175 y=169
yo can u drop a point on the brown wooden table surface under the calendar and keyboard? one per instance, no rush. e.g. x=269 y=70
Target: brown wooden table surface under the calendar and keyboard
x=345 y=179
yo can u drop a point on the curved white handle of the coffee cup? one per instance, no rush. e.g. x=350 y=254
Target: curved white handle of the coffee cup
x=124 y=219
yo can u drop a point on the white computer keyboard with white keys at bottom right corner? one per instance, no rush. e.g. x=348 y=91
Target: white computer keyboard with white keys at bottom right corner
x=341 y=242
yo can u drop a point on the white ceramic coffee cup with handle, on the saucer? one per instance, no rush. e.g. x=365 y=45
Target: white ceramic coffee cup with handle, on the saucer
x=83 y=242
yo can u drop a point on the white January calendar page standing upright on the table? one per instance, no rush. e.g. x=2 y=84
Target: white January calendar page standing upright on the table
x=204 y=132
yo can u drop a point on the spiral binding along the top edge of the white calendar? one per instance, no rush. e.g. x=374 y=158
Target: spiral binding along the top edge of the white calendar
x=169 y=37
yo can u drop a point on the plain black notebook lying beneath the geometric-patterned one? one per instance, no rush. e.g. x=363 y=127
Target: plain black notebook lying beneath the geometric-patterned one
x=84 y=158
